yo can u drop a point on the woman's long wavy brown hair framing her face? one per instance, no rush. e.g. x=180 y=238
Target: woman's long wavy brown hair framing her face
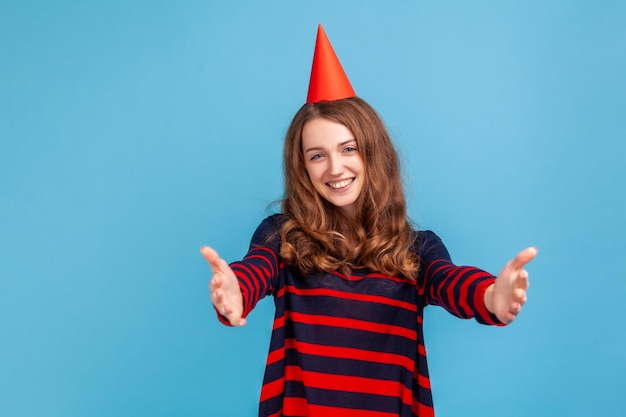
x=317 y=236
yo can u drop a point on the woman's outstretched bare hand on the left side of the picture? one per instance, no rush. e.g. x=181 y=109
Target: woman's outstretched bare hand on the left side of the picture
x=225 y=293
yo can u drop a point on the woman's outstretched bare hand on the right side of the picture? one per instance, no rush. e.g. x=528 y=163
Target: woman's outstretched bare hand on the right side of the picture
x=506 y=297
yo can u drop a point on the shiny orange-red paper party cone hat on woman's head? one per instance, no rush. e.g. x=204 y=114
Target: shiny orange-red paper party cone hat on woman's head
x=328 y=80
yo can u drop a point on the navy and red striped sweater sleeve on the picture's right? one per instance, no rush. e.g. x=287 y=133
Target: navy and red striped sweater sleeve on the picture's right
x=458 y=289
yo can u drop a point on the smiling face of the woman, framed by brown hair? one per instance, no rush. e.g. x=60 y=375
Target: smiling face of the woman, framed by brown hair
x=333 y=162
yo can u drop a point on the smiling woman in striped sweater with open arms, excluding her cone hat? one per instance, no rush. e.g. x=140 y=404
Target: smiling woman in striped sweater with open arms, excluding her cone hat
x=350 y=277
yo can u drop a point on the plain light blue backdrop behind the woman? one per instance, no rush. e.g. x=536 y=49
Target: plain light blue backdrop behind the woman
x=133 y=132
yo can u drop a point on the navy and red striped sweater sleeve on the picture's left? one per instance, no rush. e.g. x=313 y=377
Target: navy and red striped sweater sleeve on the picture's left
x=258 y=271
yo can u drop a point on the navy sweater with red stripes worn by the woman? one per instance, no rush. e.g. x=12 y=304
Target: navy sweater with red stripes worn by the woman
x=352 y=345
